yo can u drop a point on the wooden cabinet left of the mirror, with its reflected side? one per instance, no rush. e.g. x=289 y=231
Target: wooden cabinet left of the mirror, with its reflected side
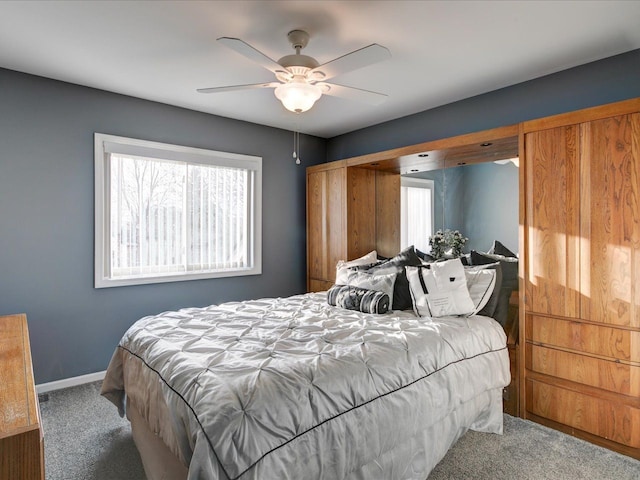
x=350 y=211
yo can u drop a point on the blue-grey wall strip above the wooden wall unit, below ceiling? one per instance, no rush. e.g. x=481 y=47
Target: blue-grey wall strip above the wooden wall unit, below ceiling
x=605 y=81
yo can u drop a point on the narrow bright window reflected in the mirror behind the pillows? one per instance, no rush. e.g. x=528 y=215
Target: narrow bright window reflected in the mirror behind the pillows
x=416 y=223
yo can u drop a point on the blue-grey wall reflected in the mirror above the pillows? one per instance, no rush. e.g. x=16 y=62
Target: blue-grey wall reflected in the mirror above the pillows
x=479 y=200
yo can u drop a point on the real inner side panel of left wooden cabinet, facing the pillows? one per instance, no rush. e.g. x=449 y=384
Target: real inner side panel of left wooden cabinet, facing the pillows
x=361 y=211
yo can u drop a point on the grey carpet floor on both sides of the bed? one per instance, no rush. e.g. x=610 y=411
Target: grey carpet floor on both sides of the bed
x=85 y=439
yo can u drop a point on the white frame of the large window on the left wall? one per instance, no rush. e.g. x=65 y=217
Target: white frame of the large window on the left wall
x=180 y=153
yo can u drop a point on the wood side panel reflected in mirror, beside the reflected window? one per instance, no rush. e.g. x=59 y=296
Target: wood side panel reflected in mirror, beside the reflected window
x=387 y=213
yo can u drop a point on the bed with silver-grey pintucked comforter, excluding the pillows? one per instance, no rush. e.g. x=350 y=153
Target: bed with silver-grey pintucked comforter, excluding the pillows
x=296 y=388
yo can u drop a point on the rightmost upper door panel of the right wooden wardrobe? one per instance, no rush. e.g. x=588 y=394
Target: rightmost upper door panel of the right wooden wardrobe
x=610 y=226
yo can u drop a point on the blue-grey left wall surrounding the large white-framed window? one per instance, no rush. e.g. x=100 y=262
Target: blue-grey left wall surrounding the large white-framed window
x=47 y=209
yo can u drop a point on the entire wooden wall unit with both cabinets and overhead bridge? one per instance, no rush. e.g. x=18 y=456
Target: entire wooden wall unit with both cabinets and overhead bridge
x=578 y=362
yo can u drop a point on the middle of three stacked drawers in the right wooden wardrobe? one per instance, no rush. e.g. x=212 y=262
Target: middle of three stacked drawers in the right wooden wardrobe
x=605 y=374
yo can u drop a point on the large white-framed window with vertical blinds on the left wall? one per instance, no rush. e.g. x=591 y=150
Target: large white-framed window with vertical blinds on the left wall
x=166 y=213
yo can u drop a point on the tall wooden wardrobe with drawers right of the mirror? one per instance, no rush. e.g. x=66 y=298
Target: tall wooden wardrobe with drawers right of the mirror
x=581 y=268
